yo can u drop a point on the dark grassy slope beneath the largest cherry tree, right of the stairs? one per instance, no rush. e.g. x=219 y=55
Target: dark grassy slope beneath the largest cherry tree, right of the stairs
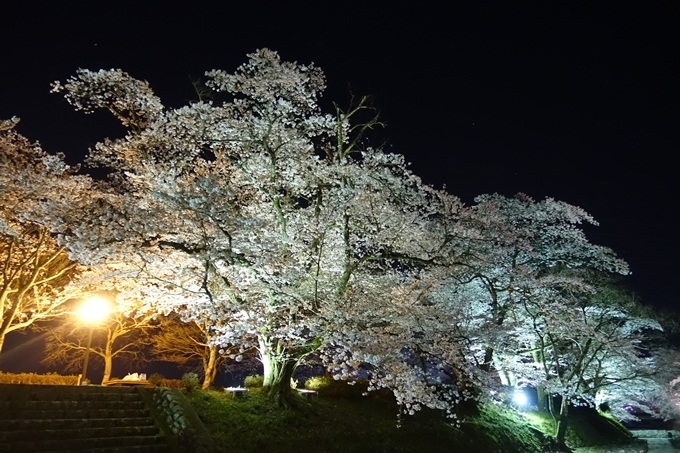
x=354 y=424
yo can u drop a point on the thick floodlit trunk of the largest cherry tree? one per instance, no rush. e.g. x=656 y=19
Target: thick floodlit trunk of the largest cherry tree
x=279 y=366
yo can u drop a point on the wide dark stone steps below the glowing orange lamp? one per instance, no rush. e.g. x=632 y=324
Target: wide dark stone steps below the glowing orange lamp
x=41 y=418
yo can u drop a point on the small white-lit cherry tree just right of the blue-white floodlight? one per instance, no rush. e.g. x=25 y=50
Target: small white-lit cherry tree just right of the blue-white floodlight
x=583 y=346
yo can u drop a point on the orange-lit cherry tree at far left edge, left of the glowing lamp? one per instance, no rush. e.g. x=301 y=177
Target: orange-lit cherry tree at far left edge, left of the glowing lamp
x=38 y=277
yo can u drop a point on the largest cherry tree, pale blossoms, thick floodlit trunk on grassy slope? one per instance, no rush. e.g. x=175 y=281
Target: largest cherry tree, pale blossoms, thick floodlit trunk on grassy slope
x=252 y=214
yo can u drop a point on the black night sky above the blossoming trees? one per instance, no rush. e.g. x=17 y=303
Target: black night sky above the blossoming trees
x=574 y=100
